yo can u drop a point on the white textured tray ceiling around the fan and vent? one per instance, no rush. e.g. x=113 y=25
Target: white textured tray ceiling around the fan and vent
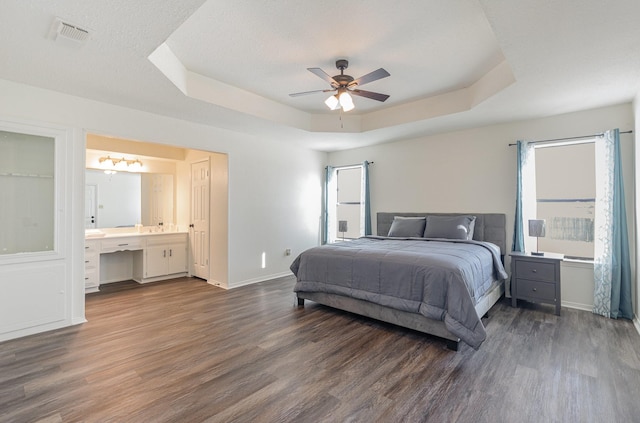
x=232 y=63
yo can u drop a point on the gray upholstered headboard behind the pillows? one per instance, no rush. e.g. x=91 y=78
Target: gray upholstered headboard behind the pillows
x=490 y=227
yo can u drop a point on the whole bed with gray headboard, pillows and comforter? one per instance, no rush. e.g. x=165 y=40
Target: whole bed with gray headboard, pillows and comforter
x=439 y=279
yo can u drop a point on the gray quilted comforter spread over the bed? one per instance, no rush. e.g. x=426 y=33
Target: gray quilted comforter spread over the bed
x=440 y=279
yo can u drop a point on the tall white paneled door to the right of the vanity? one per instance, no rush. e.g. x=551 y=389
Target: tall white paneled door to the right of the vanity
x=200 y=219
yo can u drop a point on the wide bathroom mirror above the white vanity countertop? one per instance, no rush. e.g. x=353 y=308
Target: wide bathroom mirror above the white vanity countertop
x=123 y=199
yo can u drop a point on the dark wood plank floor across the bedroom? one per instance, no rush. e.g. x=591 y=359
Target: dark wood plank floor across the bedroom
x=185 y=351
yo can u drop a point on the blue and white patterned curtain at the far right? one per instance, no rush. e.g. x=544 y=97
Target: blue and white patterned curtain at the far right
x=612 y=264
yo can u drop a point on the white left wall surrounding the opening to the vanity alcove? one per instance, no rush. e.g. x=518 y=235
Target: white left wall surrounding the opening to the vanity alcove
x=274 y=187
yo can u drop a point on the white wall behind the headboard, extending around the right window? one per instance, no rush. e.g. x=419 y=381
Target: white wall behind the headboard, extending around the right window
x=474 y=171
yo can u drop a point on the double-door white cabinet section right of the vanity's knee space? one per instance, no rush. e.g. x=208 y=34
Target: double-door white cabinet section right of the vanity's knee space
x=165 y=255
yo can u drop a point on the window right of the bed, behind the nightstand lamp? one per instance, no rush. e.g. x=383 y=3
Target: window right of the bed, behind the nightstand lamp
x=565 y=197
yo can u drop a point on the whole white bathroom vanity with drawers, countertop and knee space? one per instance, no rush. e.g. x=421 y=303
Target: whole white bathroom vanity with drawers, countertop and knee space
x=149 y=256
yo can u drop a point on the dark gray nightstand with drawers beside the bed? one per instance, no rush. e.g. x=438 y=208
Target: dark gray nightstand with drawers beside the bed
x=536 y=278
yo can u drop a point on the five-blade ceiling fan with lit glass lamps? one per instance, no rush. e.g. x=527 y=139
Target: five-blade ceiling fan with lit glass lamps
x=344 y=85
